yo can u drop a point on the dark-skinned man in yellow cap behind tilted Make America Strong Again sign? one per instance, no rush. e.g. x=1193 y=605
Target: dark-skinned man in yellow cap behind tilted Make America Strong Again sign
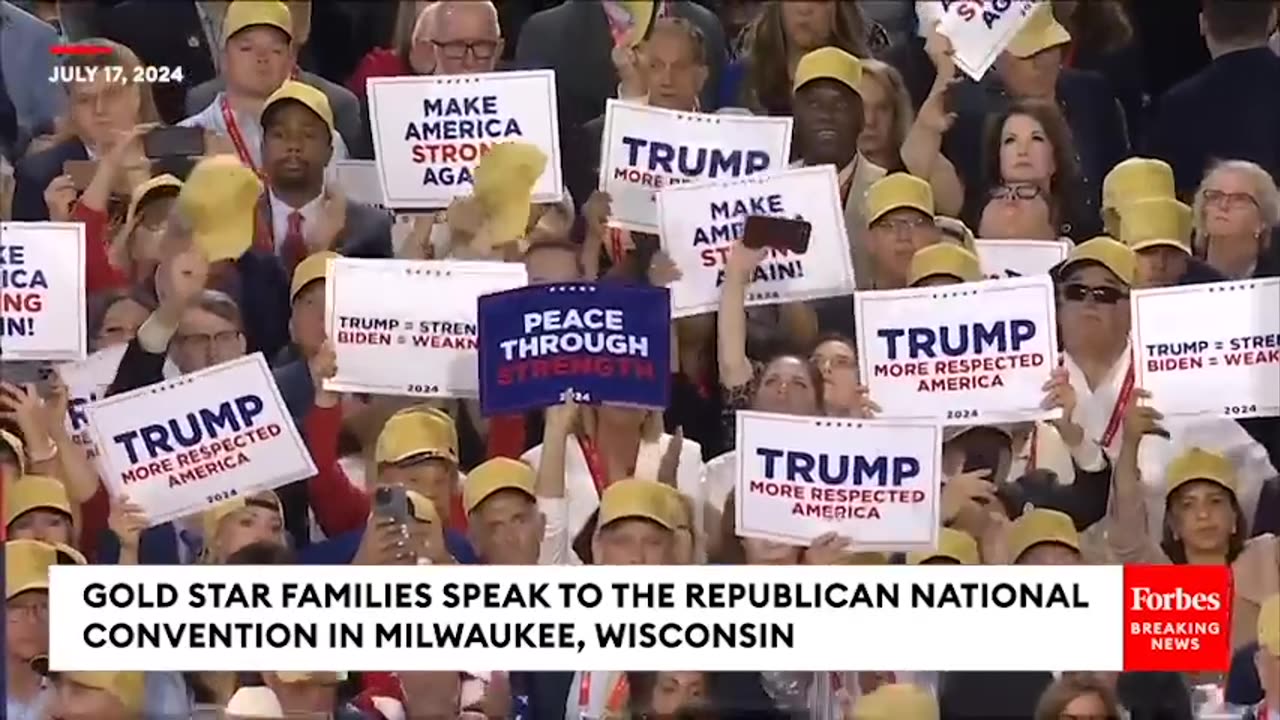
x=828 y=106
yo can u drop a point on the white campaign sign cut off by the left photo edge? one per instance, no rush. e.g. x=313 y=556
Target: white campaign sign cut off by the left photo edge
x=43 y=291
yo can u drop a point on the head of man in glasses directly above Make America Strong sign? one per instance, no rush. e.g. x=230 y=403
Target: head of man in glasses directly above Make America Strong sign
x=467 y=38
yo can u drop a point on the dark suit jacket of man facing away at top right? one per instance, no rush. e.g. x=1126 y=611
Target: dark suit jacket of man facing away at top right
x=1228 y=111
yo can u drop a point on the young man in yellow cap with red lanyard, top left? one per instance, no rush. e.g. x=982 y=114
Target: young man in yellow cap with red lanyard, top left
x=258 y=58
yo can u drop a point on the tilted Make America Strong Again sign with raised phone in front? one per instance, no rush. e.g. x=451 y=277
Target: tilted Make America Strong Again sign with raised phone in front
x=702 y=222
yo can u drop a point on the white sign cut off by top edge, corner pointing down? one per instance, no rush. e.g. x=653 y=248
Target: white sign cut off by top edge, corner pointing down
x=981 y=30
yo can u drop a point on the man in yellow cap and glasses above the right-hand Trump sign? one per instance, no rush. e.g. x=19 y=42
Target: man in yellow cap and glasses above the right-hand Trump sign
x=899 y=225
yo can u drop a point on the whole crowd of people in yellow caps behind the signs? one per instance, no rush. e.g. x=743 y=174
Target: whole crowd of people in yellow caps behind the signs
x=1149 y=184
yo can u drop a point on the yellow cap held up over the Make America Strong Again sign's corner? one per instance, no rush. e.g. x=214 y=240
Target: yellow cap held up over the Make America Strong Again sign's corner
x=505 y=185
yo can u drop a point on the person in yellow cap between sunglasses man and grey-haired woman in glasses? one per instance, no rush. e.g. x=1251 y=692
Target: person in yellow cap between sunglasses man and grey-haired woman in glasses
x=1160 y=231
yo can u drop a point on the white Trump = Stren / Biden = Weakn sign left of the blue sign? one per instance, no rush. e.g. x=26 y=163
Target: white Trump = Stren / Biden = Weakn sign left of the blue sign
x=409 y=327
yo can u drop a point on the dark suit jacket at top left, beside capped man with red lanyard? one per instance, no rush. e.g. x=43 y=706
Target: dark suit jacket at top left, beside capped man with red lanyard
x=164 y=34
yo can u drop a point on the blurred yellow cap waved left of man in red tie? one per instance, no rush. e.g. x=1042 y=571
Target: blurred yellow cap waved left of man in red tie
x=220 y=200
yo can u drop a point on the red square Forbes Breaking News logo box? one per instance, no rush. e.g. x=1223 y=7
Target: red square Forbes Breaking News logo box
x=1178 y=618
